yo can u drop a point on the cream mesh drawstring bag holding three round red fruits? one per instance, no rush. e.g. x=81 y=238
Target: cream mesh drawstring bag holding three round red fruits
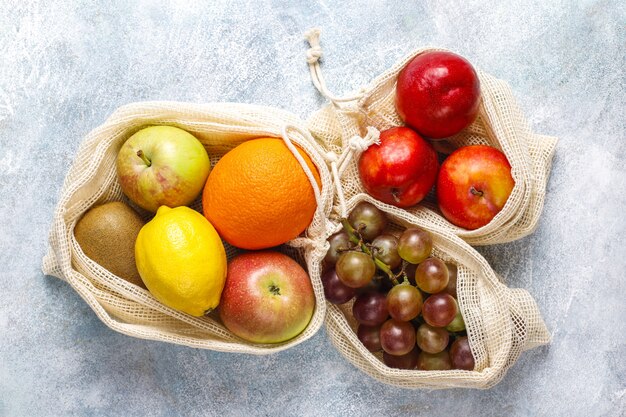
x=500 y=124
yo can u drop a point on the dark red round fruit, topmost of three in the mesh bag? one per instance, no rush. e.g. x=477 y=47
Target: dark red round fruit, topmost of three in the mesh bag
x=438 y=94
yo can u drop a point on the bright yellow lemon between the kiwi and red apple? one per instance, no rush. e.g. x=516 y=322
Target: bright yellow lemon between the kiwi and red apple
x=182 y=260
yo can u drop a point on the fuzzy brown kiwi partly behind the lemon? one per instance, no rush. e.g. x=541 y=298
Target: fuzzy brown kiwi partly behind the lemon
x=107 y=234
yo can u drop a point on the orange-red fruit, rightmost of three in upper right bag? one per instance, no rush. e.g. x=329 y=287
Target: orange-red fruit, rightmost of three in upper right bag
x=473 y=185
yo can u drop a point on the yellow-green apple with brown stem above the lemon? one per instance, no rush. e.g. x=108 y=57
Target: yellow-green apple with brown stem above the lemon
x=162 y=166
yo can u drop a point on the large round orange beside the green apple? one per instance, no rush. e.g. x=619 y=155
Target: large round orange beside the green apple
x=258 y=196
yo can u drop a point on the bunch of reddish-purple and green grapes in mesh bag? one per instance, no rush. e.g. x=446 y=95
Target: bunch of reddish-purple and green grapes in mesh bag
x=405 y=302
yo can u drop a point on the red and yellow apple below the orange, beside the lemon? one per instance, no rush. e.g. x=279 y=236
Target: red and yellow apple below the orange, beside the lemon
x=267 y=298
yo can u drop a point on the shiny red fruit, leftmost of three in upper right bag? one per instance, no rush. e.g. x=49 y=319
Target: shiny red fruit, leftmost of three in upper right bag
x=400 y=170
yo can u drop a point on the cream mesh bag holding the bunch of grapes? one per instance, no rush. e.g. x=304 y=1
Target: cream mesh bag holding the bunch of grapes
x=501 y=323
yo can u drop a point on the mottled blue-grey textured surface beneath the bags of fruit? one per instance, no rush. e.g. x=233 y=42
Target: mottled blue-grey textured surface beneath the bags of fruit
x=65 y=65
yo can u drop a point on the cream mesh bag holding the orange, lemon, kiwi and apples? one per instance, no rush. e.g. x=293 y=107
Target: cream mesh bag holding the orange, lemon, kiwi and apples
x=92 y=180
